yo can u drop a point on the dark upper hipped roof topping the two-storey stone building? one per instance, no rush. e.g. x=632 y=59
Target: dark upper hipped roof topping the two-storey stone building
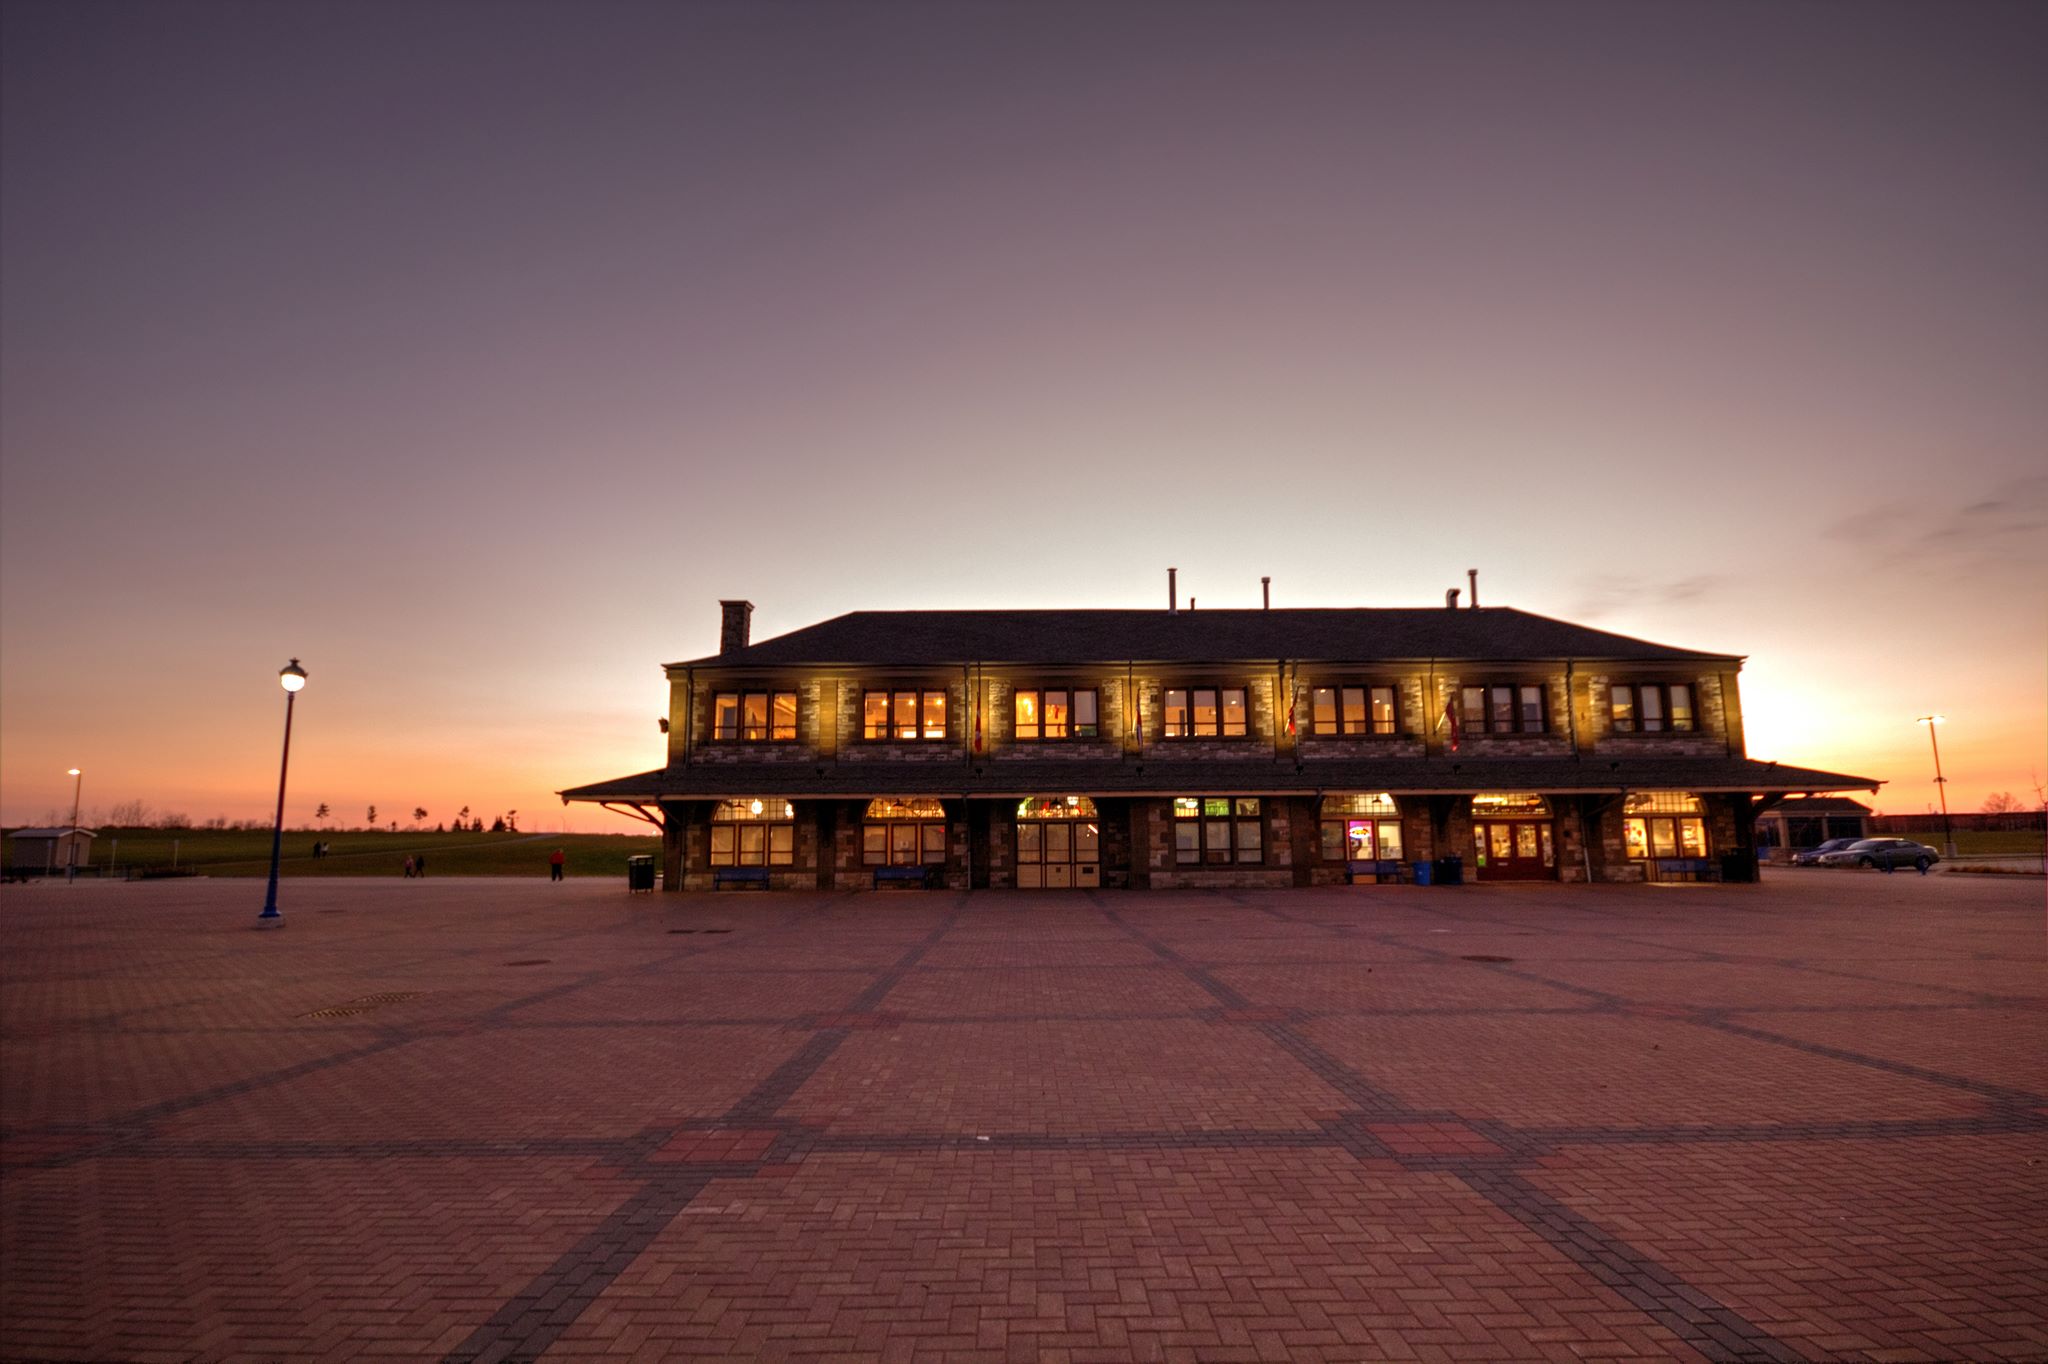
x=939 y=638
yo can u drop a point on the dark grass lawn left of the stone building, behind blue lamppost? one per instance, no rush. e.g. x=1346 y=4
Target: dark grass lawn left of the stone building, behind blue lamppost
x=222 y=853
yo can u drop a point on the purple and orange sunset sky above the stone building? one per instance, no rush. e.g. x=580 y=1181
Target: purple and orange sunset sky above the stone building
x=470 y=353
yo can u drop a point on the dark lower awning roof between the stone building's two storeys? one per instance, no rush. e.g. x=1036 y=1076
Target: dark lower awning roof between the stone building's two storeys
x=720 y=781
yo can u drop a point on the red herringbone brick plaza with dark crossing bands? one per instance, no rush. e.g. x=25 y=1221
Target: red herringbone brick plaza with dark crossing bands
x=511 y=1119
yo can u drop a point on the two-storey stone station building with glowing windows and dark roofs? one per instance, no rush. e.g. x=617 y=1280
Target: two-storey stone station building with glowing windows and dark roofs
x=1201 y=749
